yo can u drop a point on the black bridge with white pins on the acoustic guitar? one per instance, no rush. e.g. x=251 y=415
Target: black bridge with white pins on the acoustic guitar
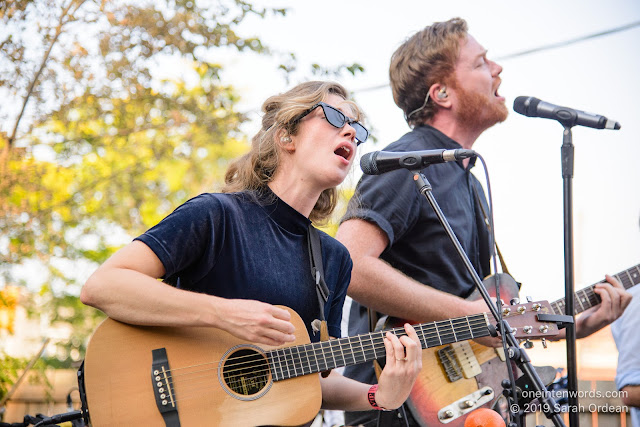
x=163 y=387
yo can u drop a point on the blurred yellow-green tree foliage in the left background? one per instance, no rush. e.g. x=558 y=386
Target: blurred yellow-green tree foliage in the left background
x=95 y=144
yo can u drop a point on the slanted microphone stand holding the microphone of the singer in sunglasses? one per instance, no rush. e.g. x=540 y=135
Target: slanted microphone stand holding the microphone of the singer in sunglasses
x=515 y=353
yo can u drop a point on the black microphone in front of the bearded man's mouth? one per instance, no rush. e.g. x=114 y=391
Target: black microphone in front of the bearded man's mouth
x=533 y=107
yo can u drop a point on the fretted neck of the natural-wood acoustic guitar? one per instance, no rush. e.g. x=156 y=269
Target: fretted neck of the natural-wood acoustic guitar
x=290 y=362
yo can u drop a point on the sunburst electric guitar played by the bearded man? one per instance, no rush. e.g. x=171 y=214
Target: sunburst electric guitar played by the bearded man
x=457 y=378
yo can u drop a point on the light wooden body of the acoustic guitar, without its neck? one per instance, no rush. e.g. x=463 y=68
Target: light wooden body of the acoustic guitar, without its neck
x=120 y=391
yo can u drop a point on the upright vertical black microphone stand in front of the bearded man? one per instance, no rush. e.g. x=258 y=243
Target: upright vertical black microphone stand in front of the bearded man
x=567 y=175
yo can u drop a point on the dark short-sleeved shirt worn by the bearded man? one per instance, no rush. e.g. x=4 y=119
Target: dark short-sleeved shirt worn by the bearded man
x=418 y=244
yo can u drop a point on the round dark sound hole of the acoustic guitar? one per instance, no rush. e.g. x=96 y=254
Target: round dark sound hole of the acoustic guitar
x=246 y=372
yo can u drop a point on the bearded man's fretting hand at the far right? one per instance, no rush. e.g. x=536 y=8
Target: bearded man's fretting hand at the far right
x=615 y=300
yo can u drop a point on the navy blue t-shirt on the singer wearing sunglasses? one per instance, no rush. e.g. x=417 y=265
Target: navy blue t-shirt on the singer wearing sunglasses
x=239 y=245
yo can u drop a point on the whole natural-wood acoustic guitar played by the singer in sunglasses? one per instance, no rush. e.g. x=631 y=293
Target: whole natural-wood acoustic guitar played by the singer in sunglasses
x=157 y=376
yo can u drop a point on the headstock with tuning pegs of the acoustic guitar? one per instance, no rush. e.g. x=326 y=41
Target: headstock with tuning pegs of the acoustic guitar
x=524 y=319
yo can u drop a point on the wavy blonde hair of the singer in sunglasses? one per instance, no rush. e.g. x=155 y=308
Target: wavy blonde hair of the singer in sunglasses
x=254 y=170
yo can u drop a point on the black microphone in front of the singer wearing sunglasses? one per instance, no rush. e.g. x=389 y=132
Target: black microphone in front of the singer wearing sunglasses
x=378 y=162
